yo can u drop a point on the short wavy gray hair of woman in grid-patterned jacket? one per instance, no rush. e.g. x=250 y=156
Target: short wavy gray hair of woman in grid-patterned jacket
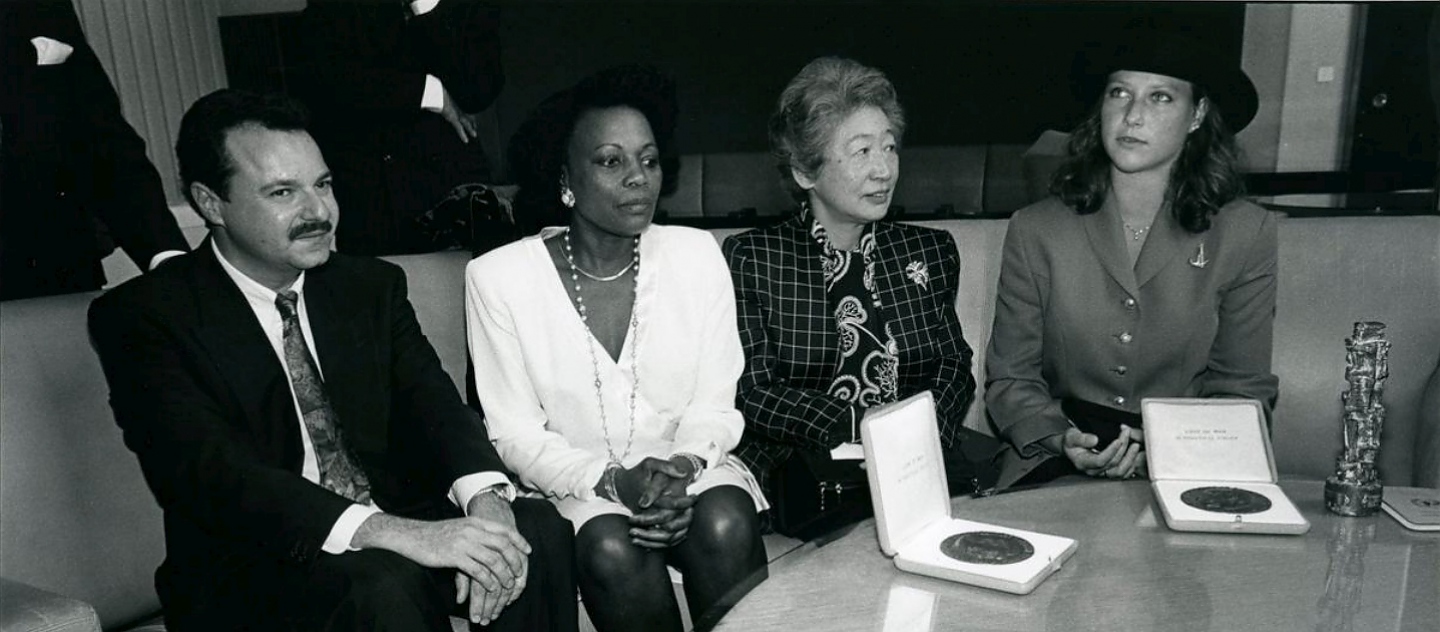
x=816 y=103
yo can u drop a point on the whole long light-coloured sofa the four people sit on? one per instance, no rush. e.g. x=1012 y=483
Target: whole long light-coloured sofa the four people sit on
x=80 y=533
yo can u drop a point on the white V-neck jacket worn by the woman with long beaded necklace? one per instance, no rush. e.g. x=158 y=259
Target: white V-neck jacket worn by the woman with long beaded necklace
x=536 y=379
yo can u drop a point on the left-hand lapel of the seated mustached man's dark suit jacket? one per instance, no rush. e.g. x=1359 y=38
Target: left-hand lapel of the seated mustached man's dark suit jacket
x=246 y=361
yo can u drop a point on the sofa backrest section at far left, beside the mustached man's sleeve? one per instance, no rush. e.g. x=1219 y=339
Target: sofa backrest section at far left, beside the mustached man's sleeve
x=78 y=519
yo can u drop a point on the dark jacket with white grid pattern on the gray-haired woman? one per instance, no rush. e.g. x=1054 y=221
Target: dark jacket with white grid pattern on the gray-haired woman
x=793 y=349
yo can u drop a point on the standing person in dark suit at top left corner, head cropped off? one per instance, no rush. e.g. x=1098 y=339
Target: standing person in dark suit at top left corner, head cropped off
x=74 y=175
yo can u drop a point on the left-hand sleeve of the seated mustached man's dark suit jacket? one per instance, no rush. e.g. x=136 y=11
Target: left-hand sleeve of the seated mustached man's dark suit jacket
x=176 y=417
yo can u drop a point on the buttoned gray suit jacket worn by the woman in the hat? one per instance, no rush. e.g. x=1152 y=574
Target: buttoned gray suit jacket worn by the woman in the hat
x=1193 y=319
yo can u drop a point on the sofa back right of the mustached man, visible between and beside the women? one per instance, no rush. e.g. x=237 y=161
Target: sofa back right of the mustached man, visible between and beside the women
x=1334 y=271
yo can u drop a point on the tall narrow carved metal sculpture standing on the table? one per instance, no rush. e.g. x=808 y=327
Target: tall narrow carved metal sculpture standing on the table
x=1356 y=489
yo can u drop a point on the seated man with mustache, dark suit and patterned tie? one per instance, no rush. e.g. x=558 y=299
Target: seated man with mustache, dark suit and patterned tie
x=309 y=490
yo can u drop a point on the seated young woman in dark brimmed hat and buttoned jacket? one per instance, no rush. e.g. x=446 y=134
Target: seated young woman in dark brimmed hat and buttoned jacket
x=1146 y=276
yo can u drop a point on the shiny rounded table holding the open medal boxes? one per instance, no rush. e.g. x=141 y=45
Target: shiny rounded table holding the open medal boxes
x=1130 y=574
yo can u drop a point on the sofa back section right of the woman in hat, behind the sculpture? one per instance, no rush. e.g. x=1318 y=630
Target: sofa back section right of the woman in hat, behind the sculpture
x=1334 y=273
